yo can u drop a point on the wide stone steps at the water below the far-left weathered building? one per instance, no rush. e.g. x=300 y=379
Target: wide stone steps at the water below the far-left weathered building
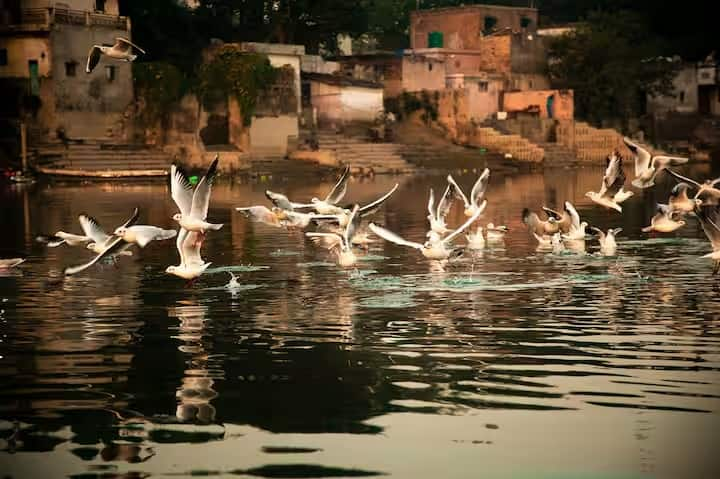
x=93 y=157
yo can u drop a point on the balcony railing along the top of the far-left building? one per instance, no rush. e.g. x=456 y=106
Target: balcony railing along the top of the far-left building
x=42 y=18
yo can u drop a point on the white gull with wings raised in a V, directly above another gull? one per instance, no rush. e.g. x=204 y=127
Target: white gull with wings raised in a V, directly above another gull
x=193 y=205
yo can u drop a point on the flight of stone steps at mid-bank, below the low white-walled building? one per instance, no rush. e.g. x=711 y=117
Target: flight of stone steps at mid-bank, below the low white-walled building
x=359 y=153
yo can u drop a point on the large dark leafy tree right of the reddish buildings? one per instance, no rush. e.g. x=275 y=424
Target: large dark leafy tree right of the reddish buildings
x=611 y=62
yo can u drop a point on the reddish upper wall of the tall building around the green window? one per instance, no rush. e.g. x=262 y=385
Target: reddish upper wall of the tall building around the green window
x=462 y=27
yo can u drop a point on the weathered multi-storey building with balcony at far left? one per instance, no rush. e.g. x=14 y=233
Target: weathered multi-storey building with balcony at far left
x=43 y=52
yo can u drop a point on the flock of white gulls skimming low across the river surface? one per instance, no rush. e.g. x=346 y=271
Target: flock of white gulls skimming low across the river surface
x=344 y=230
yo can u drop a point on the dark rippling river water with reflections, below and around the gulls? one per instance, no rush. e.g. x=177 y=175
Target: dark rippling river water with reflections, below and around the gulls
x=513 y=361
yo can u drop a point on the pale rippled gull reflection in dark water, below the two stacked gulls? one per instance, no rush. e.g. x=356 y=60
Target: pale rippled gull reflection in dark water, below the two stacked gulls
x=196 y=391
